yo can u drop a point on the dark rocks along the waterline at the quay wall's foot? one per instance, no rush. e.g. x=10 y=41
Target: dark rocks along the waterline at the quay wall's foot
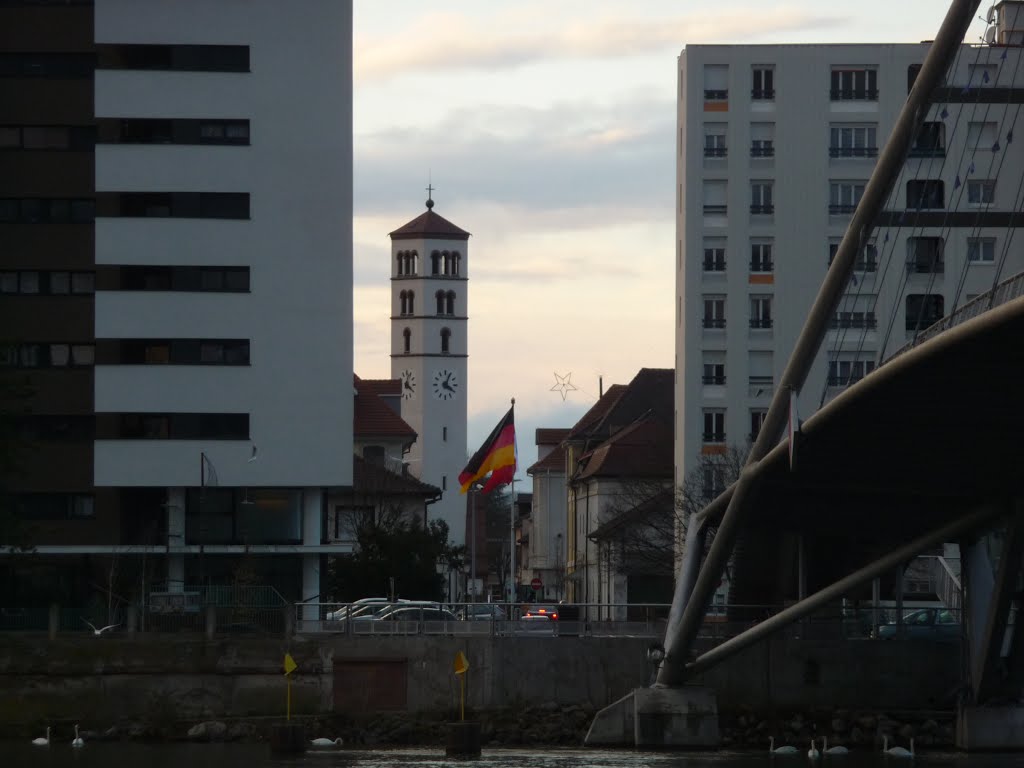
x=556 y=727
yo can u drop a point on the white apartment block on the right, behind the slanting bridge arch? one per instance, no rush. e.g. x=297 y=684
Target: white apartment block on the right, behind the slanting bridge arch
x=776 y=146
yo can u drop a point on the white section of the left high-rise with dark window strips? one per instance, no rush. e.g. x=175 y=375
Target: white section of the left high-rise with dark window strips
x=224 y=245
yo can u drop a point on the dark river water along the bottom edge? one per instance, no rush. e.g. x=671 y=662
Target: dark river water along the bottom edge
x=259 y=756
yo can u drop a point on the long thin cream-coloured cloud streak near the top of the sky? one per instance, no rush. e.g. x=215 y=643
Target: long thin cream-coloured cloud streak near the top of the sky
x=449 y=41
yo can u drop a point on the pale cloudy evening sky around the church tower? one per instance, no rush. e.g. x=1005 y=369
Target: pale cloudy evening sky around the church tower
x=546 y=127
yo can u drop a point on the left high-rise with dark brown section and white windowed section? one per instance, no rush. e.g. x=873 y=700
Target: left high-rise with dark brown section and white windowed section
x=182 y=199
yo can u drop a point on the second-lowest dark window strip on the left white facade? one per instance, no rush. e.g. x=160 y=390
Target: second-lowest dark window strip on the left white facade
x=174 y=352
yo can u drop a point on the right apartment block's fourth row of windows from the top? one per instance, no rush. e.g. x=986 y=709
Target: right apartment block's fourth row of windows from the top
x=924 y=254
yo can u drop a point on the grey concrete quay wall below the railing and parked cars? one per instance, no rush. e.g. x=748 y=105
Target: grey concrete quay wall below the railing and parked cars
x=166 y=678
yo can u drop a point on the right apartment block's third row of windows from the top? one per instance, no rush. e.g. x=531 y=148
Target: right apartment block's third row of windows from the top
x=844 y=196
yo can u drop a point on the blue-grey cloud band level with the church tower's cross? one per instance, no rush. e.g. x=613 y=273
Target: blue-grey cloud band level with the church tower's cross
x=536 y=159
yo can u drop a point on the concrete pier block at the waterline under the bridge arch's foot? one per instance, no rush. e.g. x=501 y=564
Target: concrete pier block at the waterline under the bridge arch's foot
x=659 y=718
